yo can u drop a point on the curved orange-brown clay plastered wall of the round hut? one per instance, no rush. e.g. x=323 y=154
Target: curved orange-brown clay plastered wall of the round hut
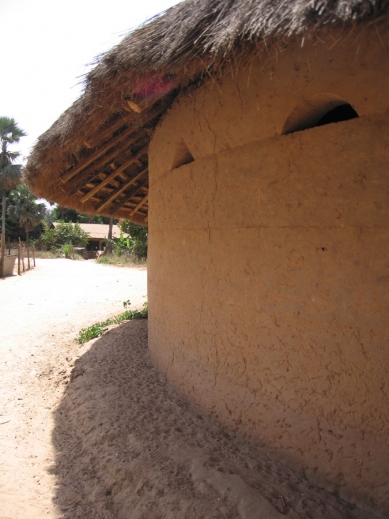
x=269 y=264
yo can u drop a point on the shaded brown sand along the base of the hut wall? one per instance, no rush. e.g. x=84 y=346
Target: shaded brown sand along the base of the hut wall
x=127 y=447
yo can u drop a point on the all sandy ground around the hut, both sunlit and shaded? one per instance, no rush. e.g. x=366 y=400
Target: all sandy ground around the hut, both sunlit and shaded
x=94 y=431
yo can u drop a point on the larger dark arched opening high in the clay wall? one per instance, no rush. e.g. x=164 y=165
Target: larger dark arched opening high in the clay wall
x=317 y=111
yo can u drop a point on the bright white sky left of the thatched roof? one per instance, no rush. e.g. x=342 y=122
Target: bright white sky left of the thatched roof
x=46 y=47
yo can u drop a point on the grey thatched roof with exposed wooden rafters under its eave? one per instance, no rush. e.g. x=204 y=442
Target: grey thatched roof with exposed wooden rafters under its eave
x=95 y=156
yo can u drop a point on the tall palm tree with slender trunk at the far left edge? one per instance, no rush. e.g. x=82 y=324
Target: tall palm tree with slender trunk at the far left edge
x=10 y=173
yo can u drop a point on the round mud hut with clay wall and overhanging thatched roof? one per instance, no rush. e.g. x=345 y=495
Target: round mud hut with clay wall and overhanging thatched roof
x=253 y=139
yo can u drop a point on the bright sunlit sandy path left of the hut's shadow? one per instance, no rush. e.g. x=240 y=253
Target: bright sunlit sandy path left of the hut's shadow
x=41 y=314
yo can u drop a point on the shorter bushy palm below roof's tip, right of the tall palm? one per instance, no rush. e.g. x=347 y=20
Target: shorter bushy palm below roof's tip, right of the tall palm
x=25 y=209
